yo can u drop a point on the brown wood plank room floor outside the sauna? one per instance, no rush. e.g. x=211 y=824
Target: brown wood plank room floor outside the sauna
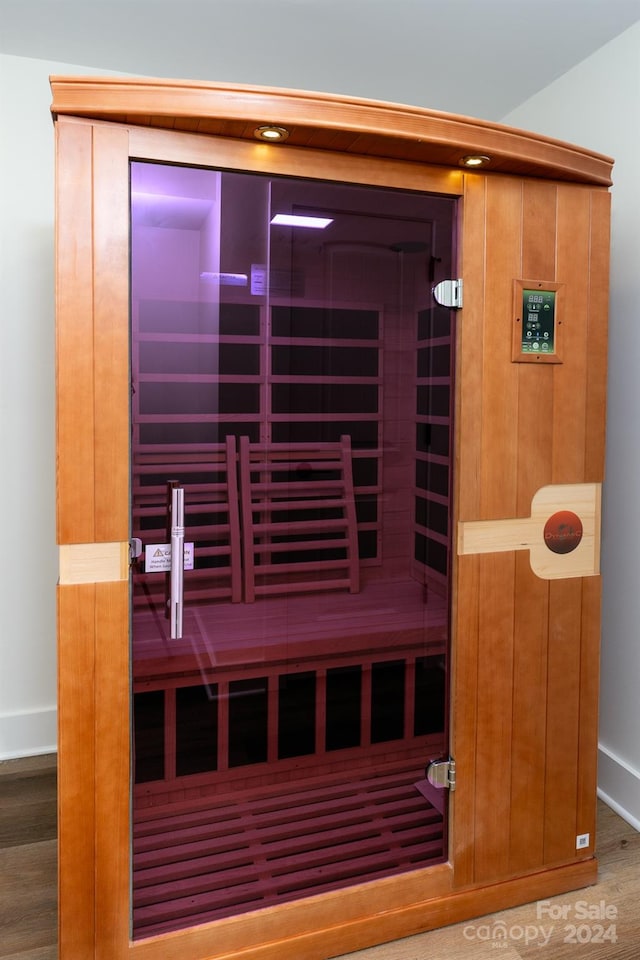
x=28 y=892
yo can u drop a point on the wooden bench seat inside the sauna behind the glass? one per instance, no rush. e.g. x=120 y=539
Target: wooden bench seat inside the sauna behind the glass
x=386 y=617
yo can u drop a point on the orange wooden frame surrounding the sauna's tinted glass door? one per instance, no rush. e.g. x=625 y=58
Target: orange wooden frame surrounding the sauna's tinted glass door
x=93 y=596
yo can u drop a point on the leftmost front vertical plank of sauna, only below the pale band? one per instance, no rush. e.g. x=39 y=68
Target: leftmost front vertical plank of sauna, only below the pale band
x=76 y=771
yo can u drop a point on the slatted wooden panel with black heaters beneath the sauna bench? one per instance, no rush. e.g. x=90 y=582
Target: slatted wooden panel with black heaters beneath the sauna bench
x=168 y=781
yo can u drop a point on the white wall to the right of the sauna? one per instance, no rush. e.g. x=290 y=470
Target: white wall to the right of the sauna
x=597 y=105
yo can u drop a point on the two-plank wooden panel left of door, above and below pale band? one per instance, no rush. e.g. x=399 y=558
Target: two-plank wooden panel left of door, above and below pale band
x=92 y=376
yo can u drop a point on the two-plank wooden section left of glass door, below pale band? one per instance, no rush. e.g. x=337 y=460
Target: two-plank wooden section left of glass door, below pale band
x=93 y=763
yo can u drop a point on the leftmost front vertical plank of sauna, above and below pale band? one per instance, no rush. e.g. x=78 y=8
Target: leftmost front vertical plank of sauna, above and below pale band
x=75 y=523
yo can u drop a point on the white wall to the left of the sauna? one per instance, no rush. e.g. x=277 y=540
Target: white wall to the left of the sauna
x=28 y=559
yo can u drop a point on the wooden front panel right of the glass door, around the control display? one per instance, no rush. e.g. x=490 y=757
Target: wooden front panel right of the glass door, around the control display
x=520 y=426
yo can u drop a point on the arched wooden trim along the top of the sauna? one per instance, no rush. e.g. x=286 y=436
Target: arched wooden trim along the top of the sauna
x=326 y=122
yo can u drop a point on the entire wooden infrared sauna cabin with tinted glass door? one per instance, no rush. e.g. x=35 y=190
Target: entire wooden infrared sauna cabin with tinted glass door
x=331 y=394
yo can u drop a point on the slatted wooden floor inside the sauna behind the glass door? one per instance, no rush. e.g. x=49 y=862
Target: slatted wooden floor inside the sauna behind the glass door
x=202 y=860
